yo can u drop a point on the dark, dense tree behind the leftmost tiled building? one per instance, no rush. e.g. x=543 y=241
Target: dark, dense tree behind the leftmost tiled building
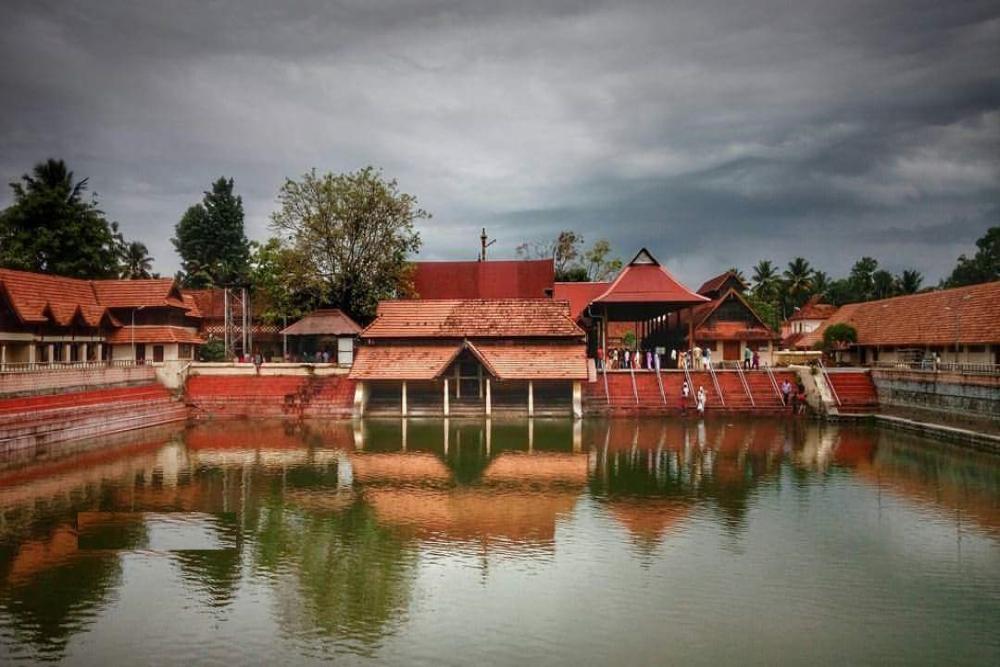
x=53 y=228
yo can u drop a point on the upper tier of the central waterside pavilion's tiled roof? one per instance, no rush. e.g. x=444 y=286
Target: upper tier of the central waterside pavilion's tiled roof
x=473 y=318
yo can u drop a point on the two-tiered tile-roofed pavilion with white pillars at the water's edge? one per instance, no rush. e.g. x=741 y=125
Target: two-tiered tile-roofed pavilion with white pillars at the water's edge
x=471 y=356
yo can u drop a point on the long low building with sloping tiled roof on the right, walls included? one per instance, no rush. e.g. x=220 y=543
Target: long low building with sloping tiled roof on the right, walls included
x=960 y=325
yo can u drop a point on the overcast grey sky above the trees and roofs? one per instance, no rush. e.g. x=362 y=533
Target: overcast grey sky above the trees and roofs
x=715 y=133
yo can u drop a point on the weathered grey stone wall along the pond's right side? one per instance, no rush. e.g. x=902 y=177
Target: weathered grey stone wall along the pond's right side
x=976 y=395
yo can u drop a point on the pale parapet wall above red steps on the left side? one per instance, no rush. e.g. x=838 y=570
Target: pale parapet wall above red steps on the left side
x=72 y=379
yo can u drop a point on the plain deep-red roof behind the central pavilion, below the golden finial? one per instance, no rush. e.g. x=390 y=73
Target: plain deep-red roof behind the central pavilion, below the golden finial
x=506 y=279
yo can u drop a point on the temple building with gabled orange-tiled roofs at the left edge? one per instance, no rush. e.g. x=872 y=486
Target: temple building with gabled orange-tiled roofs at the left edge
x=47 y=319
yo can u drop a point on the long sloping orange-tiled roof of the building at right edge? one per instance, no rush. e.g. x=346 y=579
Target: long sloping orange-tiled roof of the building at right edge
x=963 y=315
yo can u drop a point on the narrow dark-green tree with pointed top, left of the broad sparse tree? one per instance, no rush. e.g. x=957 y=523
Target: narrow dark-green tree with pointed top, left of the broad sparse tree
x=211 y=240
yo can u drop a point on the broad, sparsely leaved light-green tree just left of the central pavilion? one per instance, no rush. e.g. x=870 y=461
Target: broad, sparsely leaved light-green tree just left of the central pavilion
x=350 y=235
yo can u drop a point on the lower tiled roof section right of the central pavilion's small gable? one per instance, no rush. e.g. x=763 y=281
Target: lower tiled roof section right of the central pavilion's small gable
x=533 y=362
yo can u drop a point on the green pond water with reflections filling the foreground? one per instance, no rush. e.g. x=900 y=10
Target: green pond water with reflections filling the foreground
x=550 y=542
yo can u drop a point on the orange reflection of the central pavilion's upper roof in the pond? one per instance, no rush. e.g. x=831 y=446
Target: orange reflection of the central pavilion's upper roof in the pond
x=473 y=513
